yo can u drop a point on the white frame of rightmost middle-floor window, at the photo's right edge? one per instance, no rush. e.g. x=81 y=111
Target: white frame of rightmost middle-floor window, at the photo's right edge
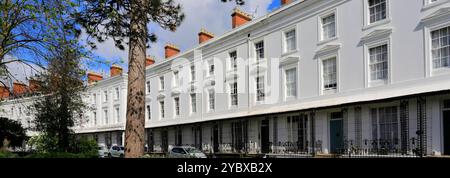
x=429 y=70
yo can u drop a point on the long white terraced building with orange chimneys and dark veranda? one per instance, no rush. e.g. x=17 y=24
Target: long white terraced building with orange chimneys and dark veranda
x=360 y=77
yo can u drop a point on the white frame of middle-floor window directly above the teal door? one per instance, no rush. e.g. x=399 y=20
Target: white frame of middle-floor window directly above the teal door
x=323 y=91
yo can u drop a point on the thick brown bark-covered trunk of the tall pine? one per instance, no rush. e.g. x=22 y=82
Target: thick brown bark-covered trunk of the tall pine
x=135 y=124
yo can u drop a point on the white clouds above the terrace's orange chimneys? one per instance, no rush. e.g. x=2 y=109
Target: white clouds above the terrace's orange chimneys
x=212 y=15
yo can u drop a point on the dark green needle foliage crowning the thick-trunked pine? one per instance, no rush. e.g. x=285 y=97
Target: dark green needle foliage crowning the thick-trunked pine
x=104 y=19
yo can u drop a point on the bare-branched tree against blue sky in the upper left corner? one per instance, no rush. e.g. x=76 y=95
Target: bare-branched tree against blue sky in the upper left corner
x=26 y=28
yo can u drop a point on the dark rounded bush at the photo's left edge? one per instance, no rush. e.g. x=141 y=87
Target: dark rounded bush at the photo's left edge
x=12 y=131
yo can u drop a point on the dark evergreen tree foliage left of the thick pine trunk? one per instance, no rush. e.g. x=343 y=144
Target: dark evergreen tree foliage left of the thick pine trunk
x=61 y=106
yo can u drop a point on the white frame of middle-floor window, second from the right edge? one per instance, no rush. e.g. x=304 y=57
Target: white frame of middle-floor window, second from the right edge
x=367 y=47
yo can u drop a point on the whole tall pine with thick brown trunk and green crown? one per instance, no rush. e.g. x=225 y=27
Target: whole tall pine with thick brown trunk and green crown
x=126 y=22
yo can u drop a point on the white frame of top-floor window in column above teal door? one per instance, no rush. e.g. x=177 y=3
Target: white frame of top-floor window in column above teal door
x=320 y=18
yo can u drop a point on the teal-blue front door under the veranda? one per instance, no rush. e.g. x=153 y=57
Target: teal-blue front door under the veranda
x=336 y=135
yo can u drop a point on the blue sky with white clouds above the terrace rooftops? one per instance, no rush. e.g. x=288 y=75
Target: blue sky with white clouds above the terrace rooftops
x=209 y=14
